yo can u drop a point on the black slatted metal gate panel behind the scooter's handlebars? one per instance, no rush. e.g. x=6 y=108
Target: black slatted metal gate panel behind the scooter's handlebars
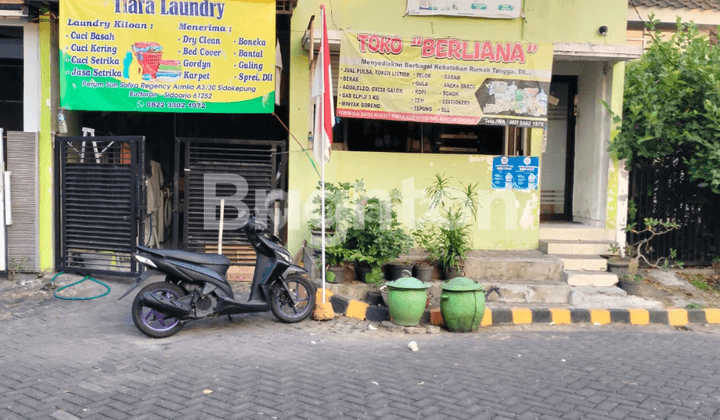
x=248 y=174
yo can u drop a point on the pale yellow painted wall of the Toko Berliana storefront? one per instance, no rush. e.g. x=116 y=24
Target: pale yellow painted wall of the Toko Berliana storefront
x=506 y=219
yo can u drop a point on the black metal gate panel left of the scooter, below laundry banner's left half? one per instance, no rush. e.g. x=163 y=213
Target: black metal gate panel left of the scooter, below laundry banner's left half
x=100 y=196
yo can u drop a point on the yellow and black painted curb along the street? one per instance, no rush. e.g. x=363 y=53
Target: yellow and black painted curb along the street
x=552 y=316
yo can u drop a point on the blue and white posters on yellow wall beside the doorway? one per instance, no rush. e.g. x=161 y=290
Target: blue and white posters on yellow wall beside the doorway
x=515 y=172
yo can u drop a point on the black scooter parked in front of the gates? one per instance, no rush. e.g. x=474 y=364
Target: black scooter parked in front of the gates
x=195 y=286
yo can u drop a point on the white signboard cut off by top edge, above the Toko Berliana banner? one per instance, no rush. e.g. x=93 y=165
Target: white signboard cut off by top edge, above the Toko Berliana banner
x=500 y=9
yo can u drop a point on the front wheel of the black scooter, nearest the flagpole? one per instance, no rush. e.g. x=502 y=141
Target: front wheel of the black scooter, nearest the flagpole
x=281 y=304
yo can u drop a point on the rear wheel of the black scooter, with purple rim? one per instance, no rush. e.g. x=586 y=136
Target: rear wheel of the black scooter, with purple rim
x=152 y=322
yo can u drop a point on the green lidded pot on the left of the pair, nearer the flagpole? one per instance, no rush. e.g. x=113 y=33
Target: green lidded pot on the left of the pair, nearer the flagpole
x=407 y=297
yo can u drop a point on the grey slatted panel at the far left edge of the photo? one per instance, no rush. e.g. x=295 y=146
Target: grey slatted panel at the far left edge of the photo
x=22 y=235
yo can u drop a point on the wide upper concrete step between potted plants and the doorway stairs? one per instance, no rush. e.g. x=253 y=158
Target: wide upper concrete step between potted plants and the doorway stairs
x=514 y=266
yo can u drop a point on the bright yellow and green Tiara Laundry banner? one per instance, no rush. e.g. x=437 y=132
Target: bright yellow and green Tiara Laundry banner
x=168 y=56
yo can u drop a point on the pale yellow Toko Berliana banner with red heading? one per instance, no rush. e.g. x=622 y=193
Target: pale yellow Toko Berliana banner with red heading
x=444 y=80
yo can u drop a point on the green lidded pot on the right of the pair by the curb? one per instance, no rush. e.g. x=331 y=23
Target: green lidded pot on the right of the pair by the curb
x=462 y=304
